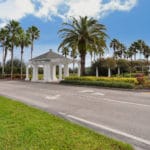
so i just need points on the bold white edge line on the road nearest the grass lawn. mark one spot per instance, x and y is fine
(110, 129)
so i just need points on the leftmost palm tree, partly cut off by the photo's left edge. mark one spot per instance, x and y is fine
(4, 41)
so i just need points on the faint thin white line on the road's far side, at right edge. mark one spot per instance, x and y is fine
(123, 102)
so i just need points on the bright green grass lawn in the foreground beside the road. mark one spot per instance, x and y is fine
(26, 128)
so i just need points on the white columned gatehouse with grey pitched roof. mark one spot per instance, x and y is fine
(49, 61)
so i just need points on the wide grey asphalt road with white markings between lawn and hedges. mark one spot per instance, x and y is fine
(124, 115)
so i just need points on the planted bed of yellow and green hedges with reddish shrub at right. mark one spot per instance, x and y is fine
(115, 82)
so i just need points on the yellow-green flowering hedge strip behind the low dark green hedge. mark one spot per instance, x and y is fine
(106, 79)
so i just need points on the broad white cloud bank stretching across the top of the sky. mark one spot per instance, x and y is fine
(17, 9)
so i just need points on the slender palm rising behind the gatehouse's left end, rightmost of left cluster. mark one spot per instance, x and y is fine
(34, 35)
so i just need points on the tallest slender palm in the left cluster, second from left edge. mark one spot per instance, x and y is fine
(13, 28)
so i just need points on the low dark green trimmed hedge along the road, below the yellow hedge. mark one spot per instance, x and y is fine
(100, 83)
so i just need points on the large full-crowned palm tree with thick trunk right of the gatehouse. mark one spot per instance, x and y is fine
(82, 33)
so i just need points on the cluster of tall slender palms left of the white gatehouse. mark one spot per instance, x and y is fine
(13, 35)
